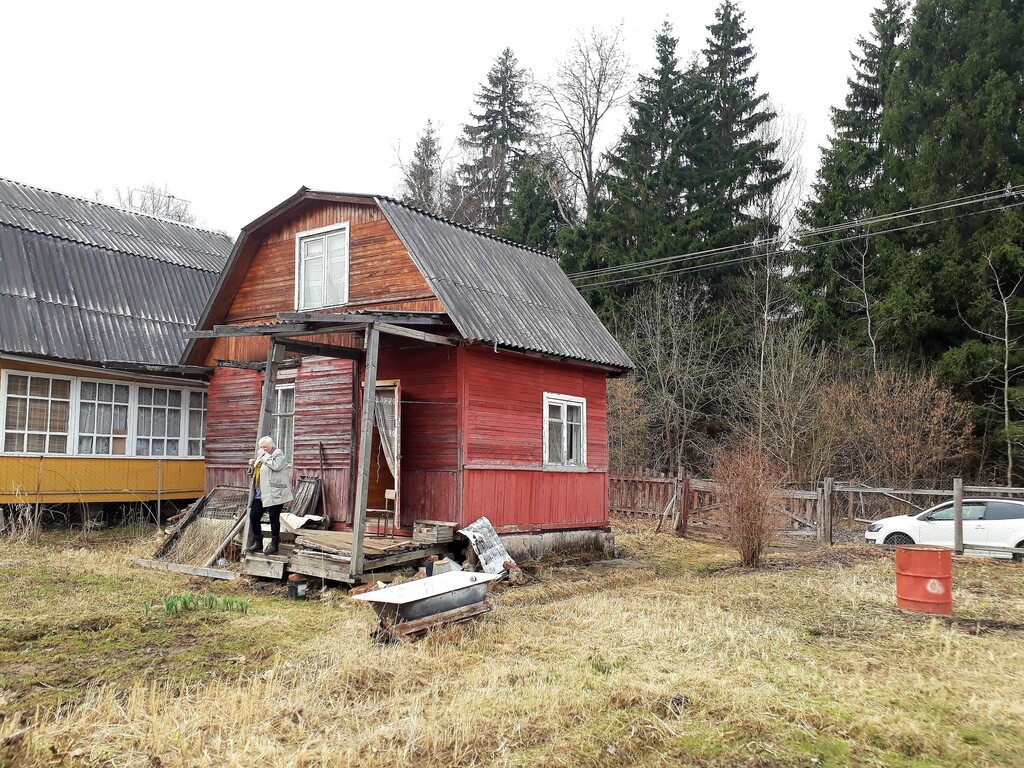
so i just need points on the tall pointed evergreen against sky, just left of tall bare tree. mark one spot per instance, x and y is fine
(496, 143)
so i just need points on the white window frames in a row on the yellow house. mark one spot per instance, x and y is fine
(75, 382)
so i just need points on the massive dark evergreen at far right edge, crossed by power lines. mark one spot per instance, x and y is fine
(951, 127)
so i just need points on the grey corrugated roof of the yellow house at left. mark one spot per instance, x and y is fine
(87, 282)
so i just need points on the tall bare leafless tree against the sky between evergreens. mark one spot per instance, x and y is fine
(589, 84)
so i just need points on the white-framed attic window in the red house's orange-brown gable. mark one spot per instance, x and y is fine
(322, 268)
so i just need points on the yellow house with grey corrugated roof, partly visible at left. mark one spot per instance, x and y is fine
(95, 305)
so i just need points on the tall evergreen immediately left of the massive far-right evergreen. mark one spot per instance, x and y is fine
(838, 285)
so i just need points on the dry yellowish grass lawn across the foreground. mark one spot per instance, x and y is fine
(686, 661)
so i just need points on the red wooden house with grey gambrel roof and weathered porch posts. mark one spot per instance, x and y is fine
(487, 369)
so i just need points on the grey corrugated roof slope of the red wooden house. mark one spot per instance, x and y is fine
(502, 293)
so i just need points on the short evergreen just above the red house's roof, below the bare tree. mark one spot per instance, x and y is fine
(533, 216)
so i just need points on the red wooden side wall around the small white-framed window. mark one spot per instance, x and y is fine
(503, 476)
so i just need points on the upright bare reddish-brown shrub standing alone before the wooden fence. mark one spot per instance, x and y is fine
(749, 480)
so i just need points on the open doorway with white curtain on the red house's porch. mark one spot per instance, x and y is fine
(385, 491)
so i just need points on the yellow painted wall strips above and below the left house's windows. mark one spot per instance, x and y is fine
(67, 480)
